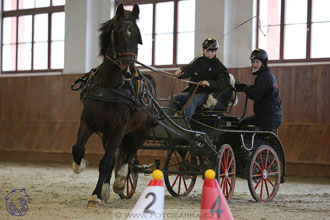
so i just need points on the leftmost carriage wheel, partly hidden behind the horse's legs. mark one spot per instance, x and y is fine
(132, 177)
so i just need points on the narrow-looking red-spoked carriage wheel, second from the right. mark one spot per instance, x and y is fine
(226, 171)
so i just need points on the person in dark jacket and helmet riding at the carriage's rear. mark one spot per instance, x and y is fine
(267, 105)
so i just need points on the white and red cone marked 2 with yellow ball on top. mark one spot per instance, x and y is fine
(151, 202)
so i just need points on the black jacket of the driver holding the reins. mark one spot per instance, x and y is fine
(211, 70)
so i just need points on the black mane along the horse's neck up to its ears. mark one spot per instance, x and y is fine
(107, 27)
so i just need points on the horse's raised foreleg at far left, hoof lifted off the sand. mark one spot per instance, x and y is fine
(78, 150)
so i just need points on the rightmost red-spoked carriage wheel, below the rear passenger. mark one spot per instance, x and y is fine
(264, 174)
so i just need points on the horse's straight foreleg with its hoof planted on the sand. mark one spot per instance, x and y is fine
(105, 166)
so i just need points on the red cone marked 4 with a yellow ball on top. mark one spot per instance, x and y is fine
(214, 204)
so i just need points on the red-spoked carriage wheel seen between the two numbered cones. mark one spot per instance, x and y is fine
(177, 181)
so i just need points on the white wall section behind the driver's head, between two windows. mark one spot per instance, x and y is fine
(218, 19)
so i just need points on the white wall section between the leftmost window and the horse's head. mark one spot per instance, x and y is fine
(82, 20)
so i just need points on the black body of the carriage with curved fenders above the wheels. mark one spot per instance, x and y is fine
(221, 130)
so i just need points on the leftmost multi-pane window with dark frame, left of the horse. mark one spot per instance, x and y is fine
(32, 36)
